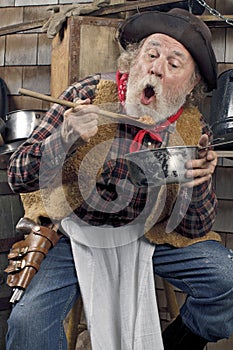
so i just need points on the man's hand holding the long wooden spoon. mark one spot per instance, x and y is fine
(80, 123)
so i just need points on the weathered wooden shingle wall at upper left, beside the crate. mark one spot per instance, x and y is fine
(25, 57)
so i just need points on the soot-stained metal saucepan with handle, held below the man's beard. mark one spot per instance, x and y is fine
(155, 167)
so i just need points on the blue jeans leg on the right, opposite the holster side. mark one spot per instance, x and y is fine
(205, 272)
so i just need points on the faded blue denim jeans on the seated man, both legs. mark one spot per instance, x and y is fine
(204, 271)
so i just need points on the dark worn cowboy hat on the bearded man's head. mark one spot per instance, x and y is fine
(181, 25)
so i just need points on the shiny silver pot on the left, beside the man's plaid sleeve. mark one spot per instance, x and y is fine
(21, 123)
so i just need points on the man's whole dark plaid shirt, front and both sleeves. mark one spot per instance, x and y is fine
(115, 201)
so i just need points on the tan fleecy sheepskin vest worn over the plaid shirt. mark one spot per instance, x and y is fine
(60, 199)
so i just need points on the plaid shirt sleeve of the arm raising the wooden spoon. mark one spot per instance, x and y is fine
(25, 171)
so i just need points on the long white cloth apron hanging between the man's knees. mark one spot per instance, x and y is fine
(117, 285)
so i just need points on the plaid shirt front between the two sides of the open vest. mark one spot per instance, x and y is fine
(115, 202)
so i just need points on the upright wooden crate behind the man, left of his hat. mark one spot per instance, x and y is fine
(87, 46)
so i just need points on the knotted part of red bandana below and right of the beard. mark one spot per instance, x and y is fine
(153, 132)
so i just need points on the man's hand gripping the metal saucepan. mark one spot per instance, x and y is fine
(201, 169)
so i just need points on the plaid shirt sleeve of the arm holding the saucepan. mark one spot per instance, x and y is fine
(198, 219)
